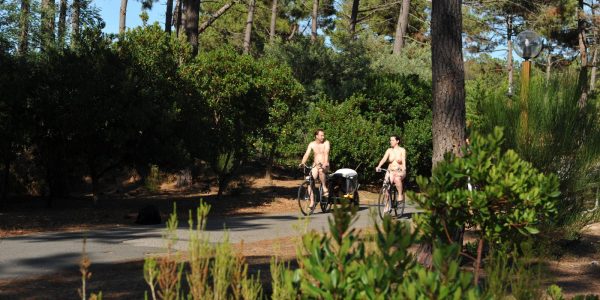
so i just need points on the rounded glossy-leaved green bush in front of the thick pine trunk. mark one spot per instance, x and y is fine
(509, 196)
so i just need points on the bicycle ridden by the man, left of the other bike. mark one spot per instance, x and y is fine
(304, 191)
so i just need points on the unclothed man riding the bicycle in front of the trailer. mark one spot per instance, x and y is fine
(320, 165)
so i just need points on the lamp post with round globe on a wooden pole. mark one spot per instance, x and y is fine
(528, 44)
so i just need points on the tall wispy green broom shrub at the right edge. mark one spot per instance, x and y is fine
(561, 138)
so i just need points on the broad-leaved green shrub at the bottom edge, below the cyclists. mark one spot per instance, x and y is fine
(339, 266)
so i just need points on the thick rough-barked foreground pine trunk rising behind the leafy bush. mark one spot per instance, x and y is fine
(449, 116)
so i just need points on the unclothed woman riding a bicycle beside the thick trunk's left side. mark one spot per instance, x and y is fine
(396, 157)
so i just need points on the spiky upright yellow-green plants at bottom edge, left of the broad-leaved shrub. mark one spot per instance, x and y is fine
(215, 271)
